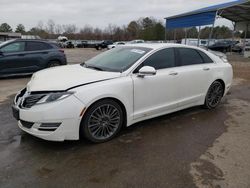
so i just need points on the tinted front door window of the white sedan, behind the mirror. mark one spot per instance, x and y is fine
(161, 59)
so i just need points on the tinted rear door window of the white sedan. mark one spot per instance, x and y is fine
(189, 56)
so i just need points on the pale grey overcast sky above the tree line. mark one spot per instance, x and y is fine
(98, 13)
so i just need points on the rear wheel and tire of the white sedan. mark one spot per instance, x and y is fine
(214, 95)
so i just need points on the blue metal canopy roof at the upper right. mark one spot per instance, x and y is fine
(237, 11)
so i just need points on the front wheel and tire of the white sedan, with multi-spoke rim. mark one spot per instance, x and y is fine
(102, 121)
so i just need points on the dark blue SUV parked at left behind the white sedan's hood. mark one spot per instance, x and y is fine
(19, 57)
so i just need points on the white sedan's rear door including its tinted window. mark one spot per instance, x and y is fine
(194, 76)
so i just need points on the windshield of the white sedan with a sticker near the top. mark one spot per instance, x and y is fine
(116, 60)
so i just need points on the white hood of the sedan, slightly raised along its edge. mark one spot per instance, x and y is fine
(66, 77)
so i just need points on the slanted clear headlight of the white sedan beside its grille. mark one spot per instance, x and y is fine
(51, 97)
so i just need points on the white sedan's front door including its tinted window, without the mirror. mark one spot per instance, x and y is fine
(156, 94)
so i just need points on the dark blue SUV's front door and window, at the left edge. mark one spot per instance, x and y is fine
(12, 59)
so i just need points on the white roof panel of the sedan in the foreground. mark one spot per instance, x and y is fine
(156, 46)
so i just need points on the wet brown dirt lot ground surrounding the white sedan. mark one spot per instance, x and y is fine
(191, 148)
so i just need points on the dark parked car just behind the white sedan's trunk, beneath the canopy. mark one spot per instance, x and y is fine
(224, 46)
